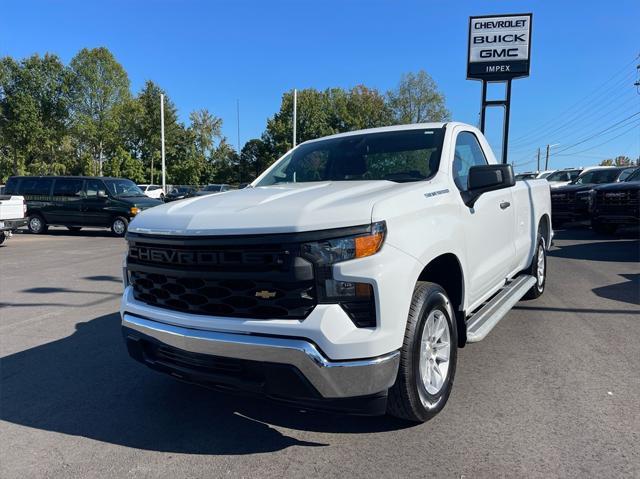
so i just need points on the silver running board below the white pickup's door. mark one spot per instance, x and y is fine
(485, 319)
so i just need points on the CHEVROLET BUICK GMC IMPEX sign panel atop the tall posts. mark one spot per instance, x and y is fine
(499, 47)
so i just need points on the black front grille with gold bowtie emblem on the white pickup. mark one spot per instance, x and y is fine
(251, 281)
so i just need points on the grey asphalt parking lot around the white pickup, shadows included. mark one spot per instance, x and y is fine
(553, 391)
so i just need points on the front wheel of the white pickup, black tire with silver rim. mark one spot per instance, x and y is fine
(416, 395)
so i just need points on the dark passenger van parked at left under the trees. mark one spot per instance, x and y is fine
(77, 201)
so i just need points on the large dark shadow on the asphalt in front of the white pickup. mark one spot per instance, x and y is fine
(86, 385)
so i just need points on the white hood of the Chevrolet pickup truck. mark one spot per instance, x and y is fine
(281, 208)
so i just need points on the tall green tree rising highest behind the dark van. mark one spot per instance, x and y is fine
(99, 85)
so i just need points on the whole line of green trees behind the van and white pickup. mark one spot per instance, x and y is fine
(82, 119)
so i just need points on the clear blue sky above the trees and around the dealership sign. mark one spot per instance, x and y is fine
(208, 54)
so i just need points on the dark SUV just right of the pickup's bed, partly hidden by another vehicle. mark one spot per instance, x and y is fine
(571, 202)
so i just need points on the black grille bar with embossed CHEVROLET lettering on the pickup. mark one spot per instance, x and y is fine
(204, 258)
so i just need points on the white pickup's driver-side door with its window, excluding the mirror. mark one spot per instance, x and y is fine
(488, 225)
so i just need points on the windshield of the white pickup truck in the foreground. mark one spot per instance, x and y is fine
(400, 156)
